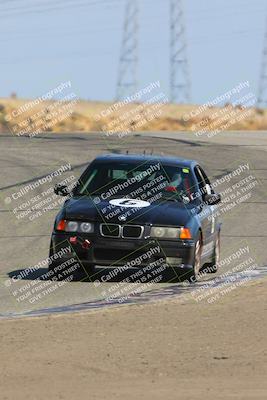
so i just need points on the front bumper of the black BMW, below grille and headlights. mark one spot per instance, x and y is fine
(110, 252)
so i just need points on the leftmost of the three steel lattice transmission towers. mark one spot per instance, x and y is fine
(127, 77)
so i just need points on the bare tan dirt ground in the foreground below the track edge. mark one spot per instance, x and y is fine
(175, 349)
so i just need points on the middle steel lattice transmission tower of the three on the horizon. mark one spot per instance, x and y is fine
(180, 85)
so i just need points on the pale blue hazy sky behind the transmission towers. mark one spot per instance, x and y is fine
(45, 42)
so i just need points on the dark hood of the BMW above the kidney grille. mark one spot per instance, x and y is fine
(167, 213)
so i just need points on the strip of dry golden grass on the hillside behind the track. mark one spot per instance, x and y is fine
(94, 116)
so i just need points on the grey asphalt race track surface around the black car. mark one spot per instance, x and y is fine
(25, 240)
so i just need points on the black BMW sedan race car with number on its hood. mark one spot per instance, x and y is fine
(124, 206)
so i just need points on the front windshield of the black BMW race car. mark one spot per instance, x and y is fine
(144, 181)
